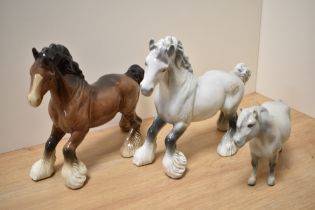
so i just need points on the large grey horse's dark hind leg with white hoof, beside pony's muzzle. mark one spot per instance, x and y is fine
(227, 146)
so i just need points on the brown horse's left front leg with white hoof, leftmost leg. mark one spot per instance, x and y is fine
(44, 167)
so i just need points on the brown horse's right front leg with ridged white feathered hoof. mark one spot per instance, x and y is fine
(74, 171)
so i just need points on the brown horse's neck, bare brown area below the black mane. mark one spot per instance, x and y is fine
(66, 88)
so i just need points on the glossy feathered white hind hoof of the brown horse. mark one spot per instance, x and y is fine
(133, 142)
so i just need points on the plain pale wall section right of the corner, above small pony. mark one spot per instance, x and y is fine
(287, 53)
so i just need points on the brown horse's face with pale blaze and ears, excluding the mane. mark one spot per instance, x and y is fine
(42, 76)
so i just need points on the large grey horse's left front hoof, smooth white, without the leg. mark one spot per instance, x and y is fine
(145, 154)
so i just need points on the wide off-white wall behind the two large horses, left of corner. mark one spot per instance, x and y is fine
(107, 37)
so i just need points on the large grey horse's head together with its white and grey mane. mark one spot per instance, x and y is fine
(164, 55)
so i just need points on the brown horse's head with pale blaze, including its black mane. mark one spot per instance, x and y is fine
(49, 63)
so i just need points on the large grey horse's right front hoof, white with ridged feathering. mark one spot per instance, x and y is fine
(175, 164)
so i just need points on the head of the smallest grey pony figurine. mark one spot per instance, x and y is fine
(248, 124)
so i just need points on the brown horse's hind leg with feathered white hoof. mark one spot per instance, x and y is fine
(134, 139)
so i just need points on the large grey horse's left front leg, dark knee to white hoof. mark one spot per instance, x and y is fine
(146, 153)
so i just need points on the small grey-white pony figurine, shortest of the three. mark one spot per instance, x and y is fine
(266, 127)
